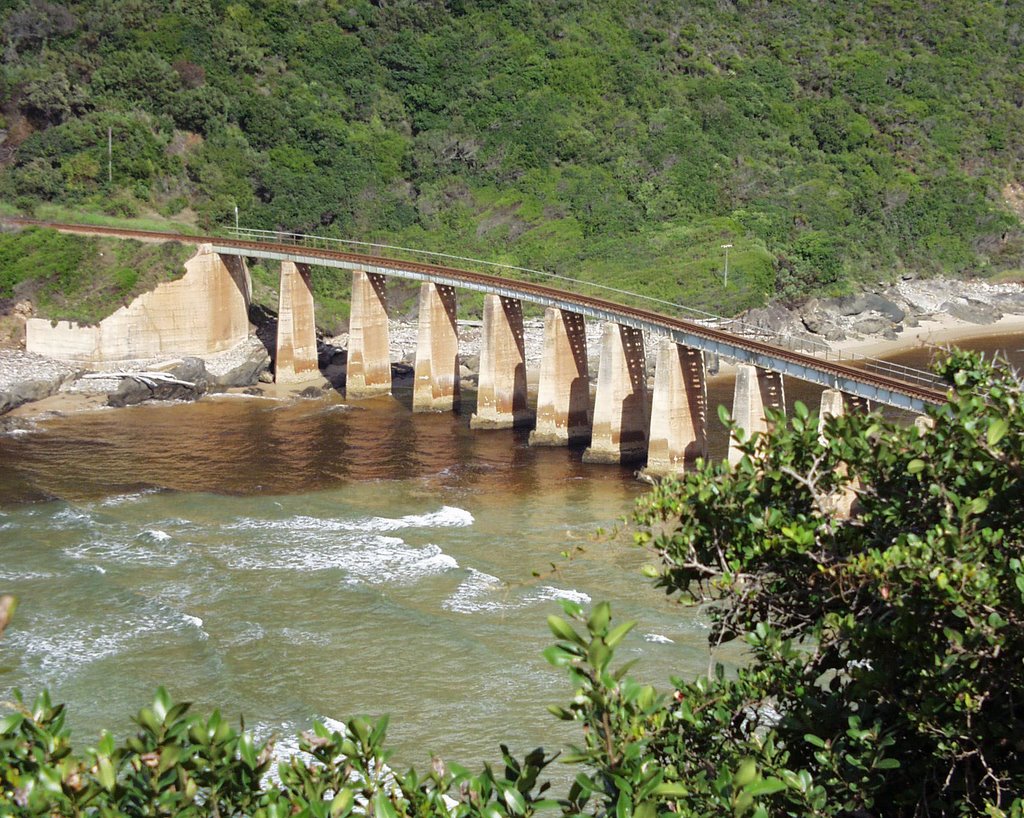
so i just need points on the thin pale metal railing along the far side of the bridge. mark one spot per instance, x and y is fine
(796, 342)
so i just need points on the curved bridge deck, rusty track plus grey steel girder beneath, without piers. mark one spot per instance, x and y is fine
(882, 388)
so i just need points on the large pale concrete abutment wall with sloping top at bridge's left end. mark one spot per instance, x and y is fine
(204, 313)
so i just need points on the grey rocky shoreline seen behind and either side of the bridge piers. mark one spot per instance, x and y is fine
(873, 323)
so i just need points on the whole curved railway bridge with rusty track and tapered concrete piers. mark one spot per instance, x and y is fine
(624, 423)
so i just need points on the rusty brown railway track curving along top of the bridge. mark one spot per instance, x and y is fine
(838, 370)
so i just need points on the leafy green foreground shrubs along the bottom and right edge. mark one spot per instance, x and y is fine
(885, 674)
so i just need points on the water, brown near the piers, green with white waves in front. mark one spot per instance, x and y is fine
(311, 559)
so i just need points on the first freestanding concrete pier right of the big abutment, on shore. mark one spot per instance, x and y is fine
(296, 355)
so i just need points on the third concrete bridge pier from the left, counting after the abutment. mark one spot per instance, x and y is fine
(437, 384)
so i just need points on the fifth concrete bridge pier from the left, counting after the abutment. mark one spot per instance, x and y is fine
(564, 389)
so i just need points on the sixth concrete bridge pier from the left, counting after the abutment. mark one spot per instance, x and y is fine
(620, 434)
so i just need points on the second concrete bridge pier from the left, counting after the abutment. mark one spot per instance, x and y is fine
(369, 361)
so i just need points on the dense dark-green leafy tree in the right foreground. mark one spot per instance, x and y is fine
(887, 650)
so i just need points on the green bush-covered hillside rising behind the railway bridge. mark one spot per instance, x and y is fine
(621, 140)
